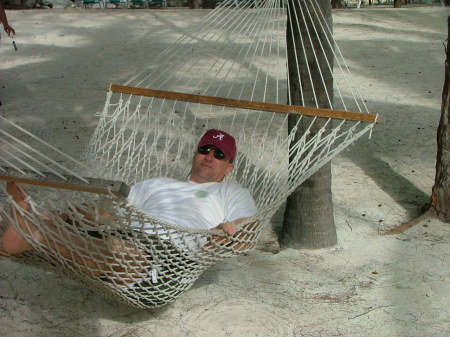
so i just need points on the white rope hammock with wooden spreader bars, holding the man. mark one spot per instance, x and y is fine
(230, 73)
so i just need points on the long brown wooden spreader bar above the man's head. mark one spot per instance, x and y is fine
(272, 107)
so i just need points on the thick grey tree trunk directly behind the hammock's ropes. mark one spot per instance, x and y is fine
(308, 219)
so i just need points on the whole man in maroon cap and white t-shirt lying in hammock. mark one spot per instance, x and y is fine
(202, 202)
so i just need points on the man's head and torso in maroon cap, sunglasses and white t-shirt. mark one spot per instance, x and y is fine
(202, 202)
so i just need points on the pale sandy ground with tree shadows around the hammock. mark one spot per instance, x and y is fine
(368, 285)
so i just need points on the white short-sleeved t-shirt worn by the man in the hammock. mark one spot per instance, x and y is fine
(190, 204)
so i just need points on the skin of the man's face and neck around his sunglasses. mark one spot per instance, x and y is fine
(206, 168)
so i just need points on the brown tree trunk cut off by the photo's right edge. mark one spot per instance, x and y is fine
(440, 195)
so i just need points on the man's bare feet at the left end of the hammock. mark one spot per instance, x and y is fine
(13, 242)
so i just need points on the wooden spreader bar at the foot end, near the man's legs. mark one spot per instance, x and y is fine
(97, 186)
